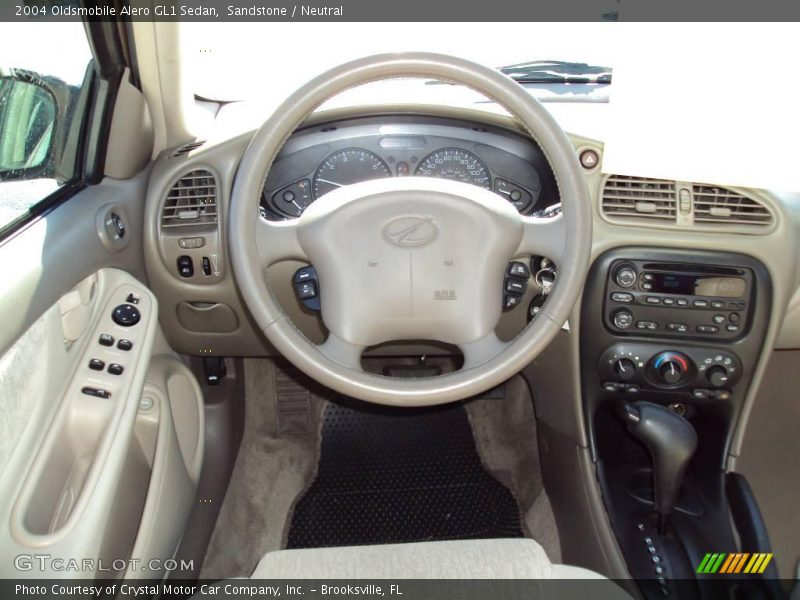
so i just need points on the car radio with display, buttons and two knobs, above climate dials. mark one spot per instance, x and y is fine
(677, 300)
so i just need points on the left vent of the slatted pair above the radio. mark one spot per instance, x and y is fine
(627, 197)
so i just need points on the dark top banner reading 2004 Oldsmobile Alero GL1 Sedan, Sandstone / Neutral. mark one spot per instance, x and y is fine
(406, 11)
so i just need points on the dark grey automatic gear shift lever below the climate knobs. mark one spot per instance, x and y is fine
(671, 440)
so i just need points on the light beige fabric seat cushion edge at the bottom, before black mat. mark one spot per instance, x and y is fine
(517, 558)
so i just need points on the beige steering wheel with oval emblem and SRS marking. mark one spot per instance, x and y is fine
(412, 257)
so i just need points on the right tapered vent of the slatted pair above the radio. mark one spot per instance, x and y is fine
(722, 206)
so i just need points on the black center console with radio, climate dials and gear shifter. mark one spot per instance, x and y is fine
(681, 330)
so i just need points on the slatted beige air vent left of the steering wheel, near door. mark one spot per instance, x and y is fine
(191, 201)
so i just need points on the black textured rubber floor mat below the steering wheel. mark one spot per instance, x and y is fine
(400, 475)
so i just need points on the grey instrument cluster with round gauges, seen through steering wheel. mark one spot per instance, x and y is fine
(318, 160)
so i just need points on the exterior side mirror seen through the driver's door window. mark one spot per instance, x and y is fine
(32, 111)
